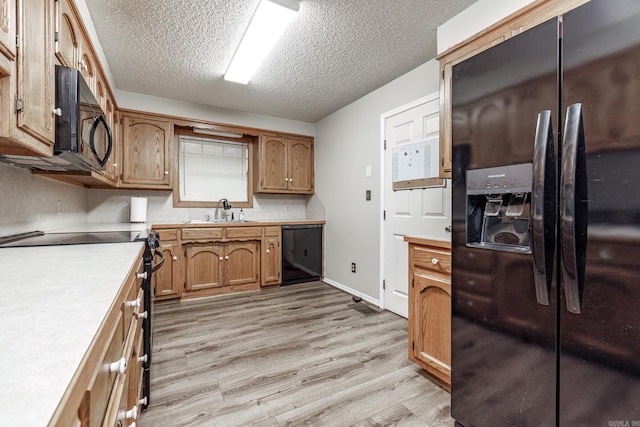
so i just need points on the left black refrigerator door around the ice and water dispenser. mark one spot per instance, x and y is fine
(503, 341)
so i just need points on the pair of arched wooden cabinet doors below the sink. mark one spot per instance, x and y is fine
(223, 267)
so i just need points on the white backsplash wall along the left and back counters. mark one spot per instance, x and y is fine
(31, 202)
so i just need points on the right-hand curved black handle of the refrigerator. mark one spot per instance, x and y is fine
(573, 145)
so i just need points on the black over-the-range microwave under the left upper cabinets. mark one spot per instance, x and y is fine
(83, 136)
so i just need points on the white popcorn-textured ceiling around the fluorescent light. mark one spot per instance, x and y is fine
(333, 53)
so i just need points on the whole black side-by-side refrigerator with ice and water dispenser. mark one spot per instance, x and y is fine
(546, 225)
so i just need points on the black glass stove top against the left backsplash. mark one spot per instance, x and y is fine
(39, 238)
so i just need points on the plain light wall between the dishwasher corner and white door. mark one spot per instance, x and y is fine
(346, 143)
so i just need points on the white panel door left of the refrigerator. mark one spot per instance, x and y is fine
(424, 212)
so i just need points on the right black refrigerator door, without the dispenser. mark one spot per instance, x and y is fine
(600, 346)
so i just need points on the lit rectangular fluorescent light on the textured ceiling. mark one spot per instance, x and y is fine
(267, 25)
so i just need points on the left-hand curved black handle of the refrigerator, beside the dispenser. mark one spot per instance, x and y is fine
(543, 200)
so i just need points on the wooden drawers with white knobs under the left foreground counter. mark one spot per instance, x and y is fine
(106, 390)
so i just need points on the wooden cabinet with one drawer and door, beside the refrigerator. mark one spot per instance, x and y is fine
(430, 307)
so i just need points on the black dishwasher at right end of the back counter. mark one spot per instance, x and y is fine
(301, 253)
